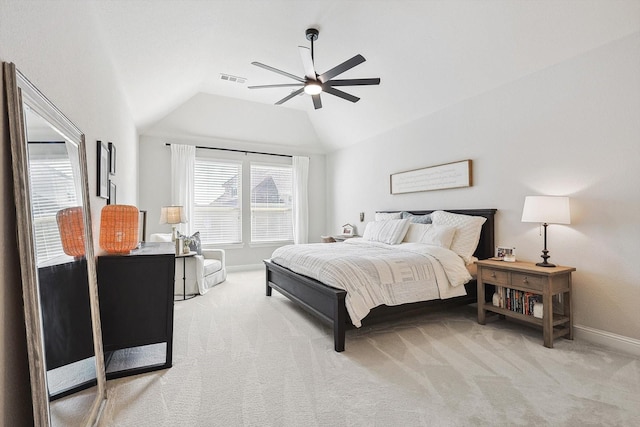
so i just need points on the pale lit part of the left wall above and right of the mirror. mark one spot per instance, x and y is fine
(71, 68)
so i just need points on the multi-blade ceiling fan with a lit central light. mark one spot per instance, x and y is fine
(313, 83)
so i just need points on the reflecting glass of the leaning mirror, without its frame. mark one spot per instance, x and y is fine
(62, 269)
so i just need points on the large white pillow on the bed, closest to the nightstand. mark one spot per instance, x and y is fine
(467, 234)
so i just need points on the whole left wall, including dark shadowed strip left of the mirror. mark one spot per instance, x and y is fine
(69, 66)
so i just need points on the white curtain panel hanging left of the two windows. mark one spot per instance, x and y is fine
(183, 160)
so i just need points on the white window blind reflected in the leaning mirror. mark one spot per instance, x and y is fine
(52, 189)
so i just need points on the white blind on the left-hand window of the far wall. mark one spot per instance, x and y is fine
(217, 212)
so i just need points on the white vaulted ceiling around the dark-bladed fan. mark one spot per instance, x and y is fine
(429, 54)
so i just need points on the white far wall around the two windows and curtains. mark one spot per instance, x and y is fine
(155, 188)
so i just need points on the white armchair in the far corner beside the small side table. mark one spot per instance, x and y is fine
(200, 272)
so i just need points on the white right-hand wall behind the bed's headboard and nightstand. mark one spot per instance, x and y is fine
(572, 129)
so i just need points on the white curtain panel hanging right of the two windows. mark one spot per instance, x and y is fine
(300, 199)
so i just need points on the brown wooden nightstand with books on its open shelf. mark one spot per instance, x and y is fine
(519, 281)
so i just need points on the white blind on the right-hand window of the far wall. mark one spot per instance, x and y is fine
(271, 203)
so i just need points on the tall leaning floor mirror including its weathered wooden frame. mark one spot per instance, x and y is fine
(58, 268)
